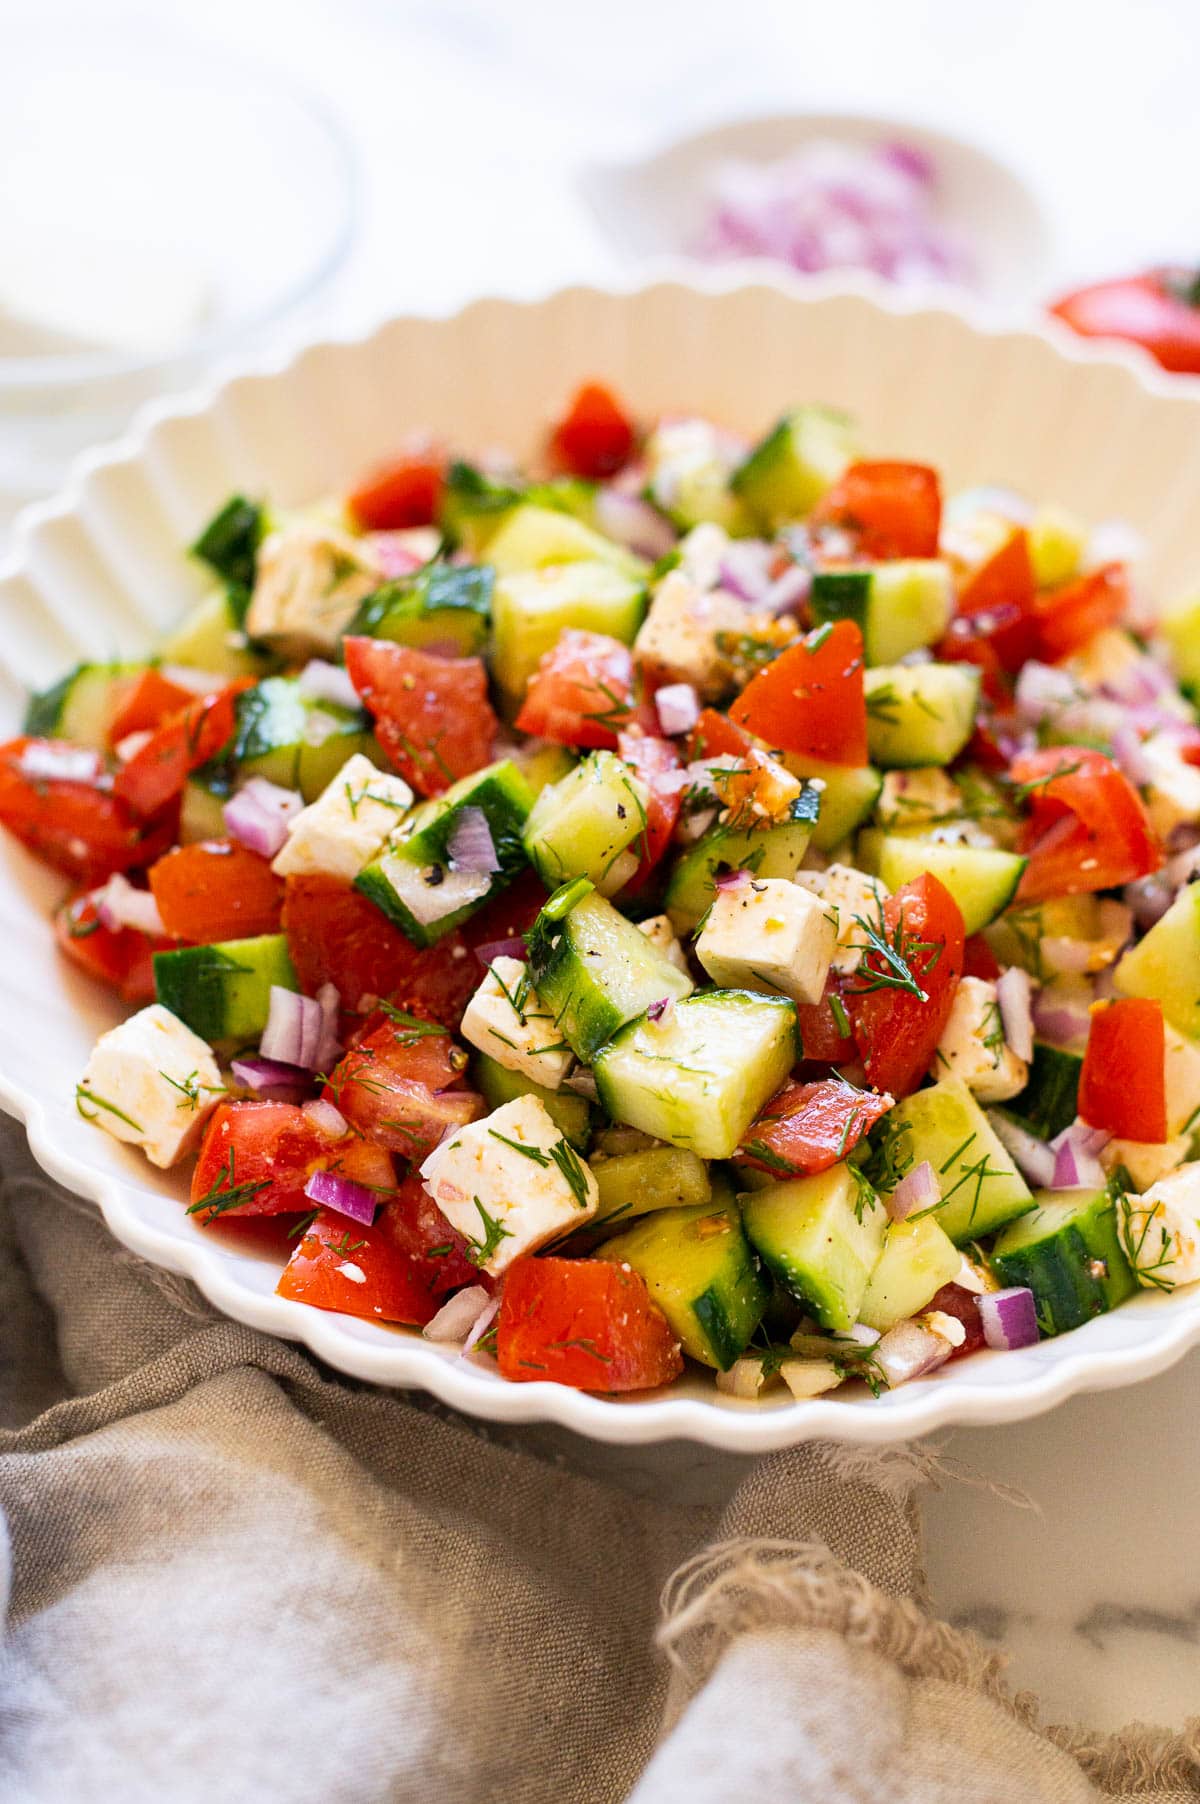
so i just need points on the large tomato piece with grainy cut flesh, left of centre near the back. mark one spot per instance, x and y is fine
(432, 715)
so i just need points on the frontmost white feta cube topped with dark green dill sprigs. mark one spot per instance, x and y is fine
(510, 1184)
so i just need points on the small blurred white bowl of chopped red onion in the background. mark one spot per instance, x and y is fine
(826, 192)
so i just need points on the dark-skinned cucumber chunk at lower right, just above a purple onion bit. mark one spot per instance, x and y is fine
(1069, 1253)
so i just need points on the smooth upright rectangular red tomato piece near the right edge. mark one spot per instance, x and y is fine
(1123, 1080)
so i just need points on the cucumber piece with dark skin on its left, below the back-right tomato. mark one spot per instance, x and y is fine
(900, 607)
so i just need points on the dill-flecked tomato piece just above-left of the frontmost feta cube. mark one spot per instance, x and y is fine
(396, 1087)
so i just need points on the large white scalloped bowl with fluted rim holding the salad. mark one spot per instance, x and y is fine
(100, 573)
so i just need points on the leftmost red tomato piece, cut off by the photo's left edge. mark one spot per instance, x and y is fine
(75, 824)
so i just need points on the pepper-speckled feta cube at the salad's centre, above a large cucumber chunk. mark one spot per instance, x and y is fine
(766, 934)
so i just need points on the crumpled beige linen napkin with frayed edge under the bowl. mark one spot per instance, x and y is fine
(237, 1578)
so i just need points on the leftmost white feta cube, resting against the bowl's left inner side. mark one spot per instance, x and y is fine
(151, 1083)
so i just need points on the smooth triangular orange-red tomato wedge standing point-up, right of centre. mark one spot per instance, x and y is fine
(811, 697)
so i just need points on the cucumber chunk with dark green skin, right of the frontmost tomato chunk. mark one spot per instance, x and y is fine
(701, 1271)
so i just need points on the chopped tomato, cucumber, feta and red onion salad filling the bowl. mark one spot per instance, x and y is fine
(688, 901)
